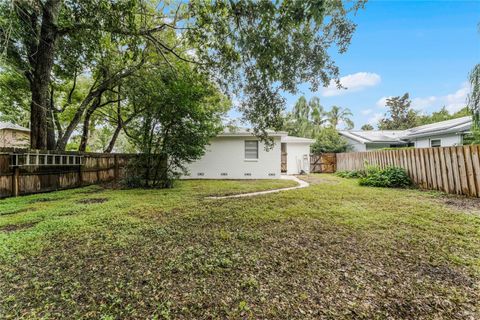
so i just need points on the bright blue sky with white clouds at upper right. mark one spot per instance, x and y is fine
(425, 48)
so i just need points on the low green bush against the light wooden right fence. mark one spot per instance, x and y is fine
(390, 177)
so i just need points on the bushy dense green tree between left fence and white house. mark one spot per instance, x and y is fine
(182, 112)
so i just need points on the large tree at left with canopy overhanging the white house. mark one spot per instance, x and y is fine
(253, 49)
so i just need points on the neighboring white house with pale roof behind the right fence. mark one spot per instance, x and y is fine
(440, 134)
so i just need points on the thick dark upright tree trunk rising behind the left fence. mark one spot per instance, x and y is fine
(44, 57)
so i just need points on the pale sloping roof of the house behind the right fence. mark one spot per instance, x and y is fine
(389, 136)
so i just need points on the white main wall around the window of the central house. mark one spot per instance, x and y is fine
(227, 155)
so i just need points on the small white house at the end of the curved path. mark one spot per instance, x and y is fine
(239, 154)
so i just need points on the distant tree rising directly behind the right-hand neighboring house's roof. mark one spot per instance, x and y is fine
(400, 115)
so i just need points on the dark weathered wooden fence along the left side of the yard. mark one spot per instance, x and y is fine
(27, 172)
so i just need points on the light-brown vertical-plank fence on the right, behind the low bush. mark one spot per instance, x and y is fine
(454, 170)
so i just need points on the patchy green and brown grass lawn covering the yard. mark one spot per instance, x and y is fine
(334, 250)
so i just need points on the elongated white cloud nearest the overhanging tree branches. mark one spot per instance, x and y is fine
(352, 82)
